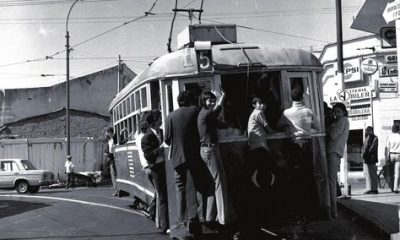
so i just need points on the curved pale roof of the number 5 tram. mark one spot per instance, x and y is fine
(225, 57)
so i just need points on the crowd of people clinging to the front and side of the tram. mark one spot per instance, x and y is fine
(202, 191)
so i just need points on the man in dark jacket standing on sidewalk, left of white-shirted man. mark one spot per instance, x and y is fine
(370, 157)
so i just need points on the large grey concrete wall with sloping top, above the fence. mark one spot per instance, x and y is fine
(91, 93)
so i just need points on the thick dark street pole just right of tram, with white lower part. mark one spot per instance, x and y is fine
(339, 36)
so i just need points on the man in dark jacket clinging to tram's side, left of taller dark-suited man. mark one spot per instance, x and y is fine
(152, 152)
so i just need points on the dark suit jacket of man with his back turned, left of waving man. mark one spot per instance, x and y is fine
(182, 135)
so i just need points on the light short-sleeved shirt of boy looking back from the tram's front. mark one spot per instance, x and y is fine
(256, 130)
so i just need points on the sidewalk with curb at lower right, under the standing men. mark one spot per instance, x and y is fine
(380, 211)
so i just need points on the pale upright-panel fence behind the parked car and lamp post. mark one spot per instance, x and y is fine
(50, 153)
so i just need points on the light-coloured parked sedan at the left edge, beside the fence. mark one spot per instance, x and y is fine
(23, 176)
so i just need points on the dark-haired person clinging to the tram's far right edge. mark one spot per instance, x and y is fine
(337, 136)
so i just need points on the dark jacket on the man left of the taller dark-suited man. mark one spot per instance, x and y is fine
(150, 147)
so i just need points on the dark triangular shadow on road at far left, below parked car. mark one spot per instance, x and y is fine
(10, 208)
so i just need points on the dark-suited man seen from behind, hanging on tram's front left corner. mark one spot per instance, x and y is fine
(182, 135)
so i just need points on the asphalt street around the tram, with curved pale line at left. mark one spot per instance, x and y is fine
(92, 213)
